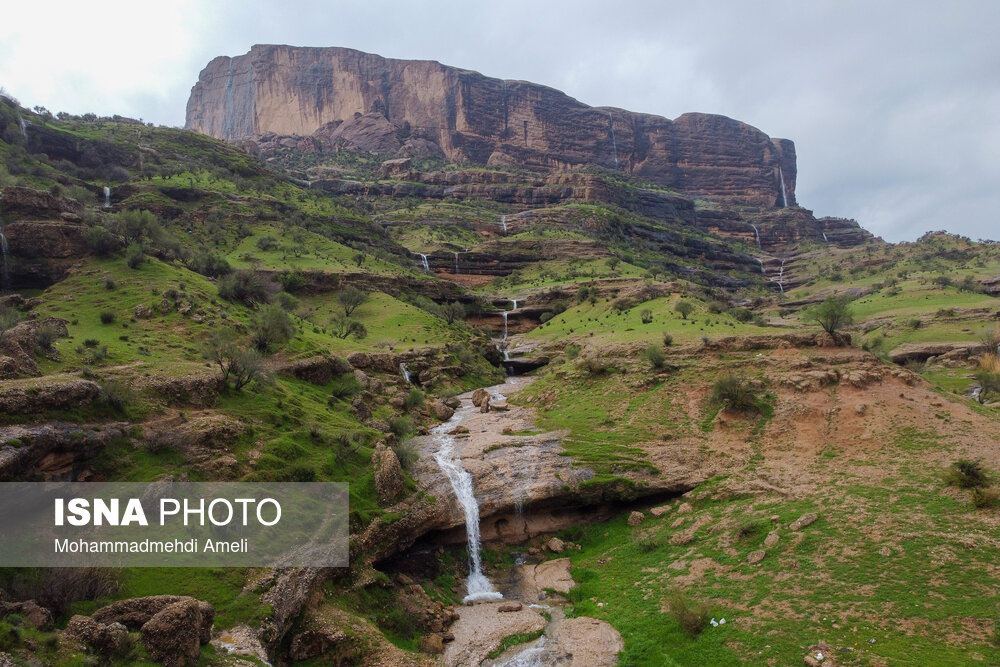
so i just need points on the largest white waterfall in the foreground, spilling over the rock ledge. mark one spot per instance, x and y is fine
(478, 586)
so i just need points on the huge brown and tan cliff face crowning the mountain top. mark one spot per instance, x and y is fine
(342, 97)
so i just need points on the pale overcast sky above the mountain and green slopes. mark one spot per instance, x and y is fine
(894, 107)
